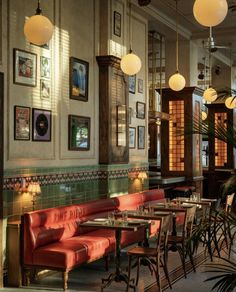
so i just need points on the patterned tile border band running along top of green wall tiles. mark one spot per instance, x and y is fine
(69, 176)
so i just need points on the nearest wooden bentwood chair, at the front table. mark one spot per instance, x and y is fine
(153, 257)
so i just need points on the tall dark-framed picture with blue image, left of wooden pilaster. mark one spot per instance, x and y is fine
(79, 72)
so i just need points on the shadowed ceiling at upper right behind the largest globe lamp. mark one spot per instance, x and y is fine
(224, 34)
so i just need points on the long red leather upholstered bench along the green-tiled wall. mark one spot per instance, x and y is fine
(53, 238)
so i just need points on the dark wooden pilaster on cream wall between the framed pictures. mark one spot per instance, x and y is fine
(113, 109)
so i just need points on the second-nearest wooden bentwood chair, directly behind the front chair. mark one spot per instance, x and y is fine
(179, 242)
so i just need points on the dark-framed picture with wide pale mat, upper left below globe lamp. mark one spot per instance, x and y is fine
(25, 68)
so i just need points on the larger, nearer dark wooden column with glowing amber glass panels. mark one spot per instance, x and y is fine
(181, 155)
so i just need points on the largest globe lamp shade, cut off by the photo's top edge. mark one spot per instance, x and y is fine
(210, 12)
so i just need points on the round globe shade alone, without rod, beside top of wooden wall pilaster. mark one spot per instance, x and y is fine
(130, 64)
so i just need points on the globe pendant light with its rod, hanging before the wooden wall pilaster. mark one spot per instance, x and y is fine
(130, 64)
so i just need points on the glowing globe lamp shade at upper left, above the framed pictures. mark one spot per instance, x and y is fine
(38, 30)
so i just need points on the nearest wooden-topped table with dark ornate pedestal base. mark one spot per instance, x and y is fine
(118, 226)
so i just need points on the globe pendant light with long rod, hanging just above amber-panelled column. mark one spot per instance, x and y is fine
(177, 81)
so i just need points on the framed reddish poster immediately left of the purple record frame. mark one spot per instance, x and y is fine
(21, 123)
